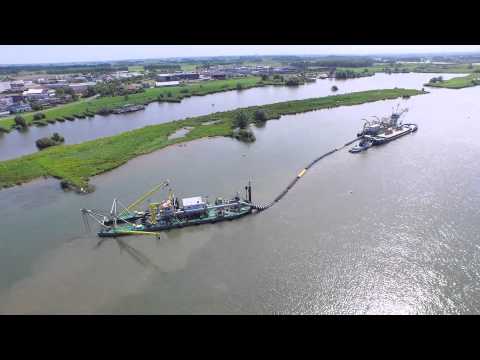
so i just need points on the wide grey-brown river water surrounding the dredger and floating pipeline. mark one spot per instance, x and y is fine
(391, 230)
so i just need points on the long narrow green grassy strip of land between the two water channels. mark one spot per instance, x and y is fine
(77, 163)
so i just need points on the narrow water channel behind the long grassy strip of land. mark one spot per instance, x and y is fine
(20, 143)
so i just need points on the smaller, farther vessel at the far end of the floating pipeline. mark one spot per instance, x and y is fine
(381, 131)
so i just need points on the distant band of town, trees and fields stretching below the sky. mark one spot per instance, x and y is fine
(30, 88)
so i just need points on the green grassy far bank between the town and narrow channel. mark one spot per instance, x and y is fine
(167, 94)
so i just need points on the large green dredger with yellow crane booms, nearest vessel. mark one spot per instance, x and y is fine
(168, 214)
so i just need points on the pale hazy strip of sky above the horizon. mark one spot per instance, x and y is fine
(28, 54)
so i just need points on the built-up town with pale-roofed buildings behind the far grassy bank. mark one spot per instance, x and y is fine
(33, 92)
